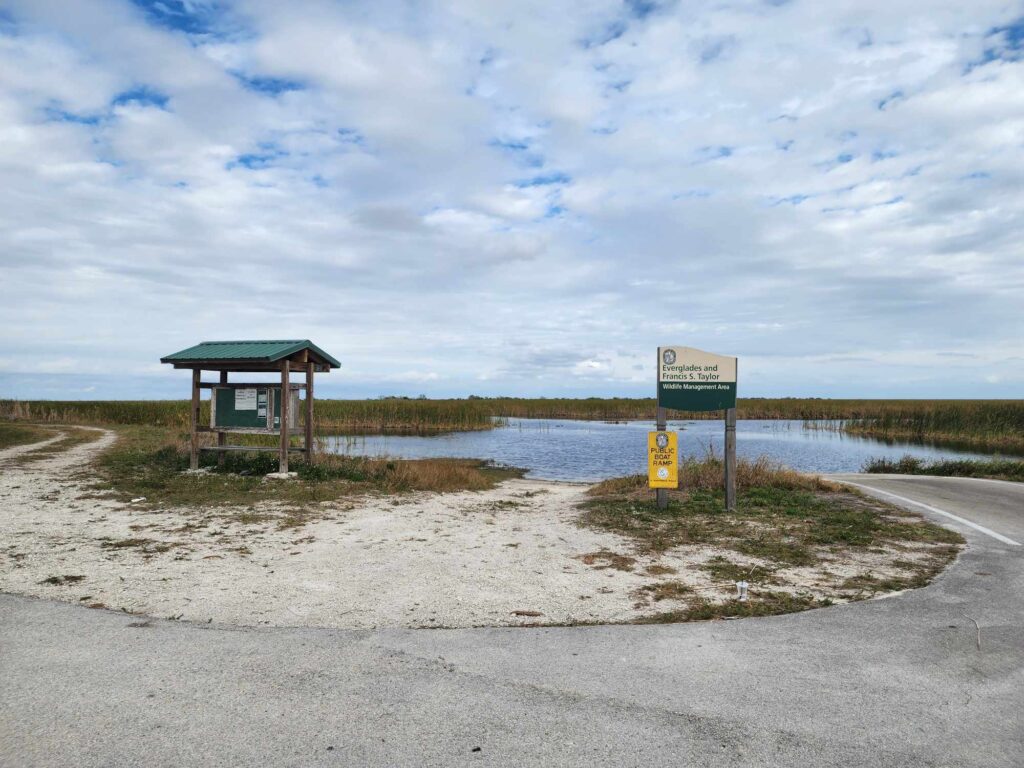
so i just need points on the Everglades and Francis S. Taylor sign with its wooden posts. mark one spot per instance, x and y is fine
(691, 379)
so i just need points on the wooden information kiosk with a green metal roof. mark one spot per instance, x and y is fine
(253, 408)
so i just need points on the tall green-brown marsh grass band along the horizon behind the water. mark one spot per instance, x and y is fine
(985, 424)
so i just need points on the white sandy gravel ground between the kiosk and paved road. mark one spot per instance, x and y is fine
(508, 557)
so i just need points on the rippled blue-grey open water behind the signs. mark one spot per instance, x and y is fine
(588, 451)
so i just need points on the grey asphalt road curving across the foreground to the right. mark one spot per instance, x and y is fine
(892, 682)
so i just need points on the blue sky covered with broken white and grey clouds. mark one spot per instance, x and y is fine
(516, 198)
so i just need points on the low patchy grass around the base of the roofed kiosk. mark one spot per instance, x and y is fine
(150, 462)
